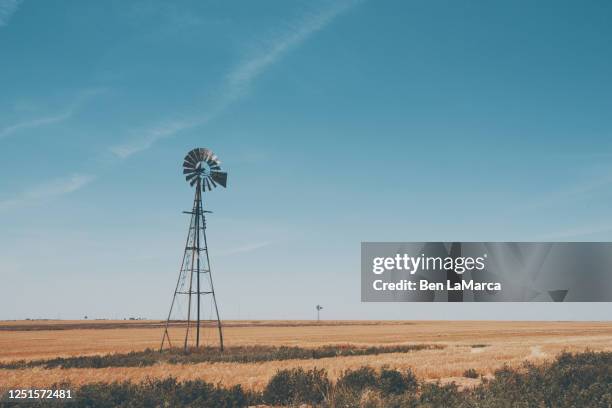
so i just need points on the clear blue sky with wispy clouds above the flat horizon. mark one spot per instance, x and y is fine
(338, 122)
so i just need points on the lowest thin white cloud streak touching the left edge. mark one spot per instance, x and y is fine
(48, 190)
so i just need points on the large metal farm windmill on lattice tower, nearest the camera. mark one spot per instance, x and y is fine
(202, 170)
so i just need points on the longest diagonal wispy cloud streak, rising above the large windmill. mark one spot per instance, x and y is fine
(238, 81)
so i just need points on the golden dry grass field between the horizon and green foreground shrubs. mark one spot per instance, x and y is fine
(497, 343)
